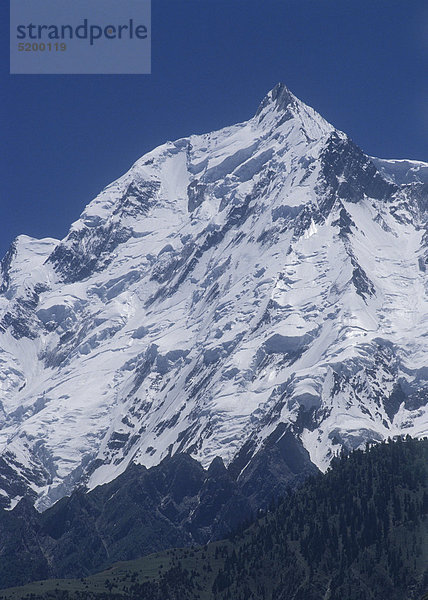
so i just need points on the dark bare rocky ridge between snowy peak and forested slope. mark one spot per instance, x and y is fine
(174, 504)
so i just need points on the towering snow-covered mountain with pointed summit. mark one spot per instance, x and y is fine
(266, 273)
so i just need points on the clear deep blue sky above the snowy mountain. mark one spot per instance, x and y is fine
(361, 63)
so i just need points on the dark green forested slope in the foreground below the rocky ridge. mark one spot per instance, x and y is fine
(358, 532)
